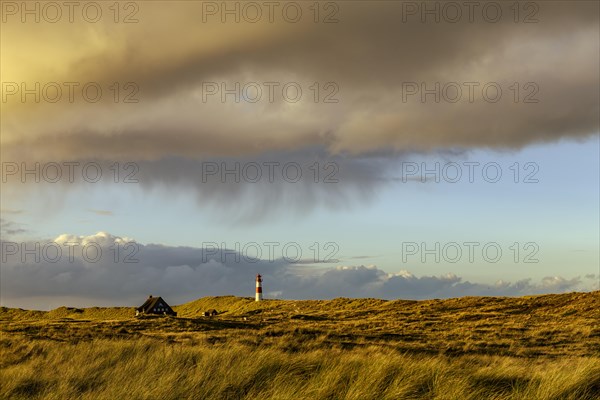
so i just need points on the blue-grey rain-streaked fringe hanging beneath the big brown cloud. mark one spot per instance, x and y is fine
(247, 188)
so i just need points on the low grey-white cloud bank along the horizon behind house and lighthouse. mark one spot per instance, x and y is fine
(184, 273)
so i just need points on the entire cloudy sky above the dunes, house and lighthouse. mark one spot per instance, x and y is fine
(340, 149)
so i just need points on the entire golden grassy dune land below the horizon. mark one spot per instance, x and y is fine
(542, 347)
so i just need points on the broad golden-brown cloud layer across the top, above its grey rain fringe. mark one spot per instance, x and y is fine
(369, 54)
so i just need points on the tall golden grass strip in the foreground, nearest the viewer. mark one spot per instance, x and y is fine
(151, 369)
